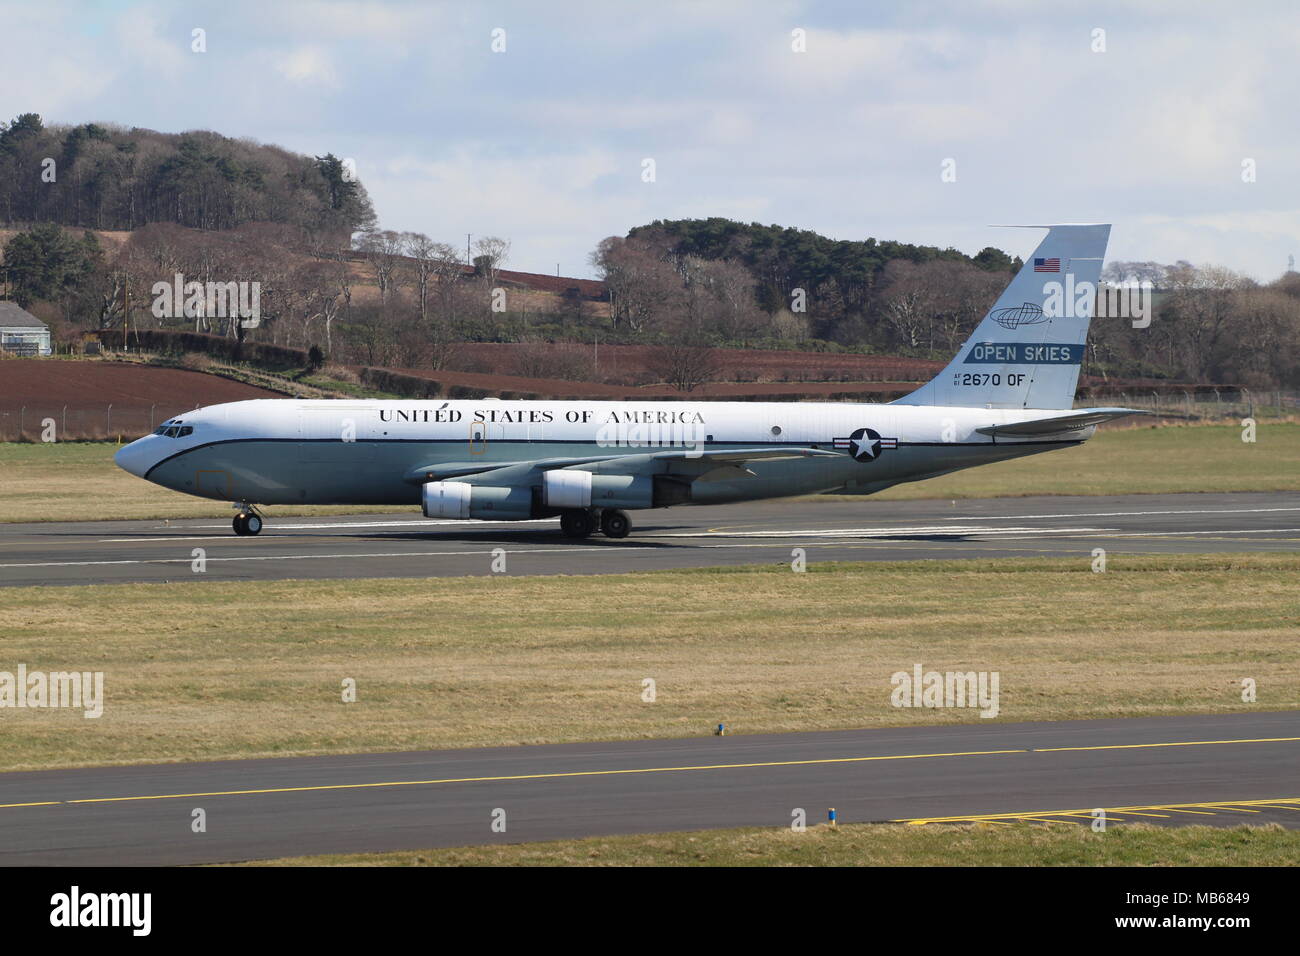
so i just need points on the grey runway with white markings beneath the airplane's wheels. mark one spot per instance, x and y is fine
(683, 538)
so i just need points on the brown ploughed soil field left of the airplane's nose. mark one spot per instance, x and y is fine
(77, 396)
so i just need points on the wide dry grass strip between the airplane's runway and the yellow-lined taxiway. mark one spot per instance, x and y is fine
(198, 671)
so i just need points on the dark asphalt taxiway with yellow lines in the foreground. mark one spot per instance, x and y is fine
(1219, 771)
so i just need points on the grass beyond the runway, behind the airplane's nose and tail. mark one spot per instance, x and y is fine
(79, 481)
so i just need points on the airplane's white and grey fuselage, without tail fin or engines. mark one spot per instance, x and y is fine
(372, 452)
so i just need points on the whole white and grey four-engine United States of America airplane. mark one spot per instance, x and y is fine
(1009, 392)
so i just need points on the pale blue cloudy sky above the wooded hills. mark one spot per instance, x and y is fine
(926, 123)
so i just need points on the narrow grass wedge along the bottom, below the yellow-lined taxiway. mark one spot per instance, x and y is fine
(873, 845)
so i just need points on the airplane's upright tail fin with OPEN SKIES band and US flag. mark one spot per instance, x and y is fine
(1028, 351)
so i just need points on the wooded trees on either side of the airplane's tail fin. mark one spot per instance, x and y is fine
(723, 283)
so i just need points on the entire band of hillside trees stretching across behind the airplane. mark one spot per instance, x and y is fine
(216, 210)
